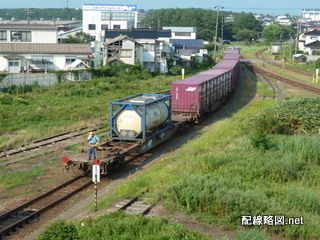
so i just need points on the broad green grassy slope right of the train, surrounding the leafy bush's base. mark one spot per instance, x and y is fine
(221, 176)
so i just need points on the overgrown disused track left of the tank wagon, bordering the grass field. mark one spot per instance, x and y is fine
(44, 142)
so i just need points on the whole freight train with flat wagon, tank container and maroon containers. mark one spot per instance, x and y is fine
(139, 123)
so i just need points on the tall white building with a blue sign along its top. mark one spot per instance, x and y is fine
(97, 18)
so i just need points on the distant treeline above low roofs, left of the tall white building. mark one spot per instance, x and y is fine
(38, 13)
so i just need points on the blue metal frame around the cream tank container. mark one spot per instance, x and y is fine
(143, 135)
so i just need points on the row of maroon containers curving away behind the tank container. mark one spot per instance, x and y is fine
(207, 90)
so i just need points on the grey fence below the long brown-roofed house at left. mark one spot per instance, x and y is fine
(42, 79)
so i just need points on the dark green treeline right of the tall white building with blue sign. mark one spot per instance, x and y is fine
(245, 26)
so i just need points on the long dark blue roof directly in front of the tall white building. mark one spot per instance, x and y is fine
(140, 33)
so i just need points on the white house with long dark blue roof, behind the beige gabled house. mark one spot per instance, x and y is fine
(156, 47)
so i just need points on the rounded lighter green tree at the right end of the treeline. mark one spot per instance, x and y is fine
(275, 32)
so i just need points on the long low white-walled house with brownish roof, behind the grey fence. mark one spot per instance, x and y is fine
(41, 57)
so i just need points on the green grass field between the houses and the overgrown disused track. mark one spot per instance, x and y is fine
(32, 112)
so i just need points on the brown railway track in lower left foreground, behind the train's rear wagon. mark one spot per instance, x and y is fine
(22, 215)
